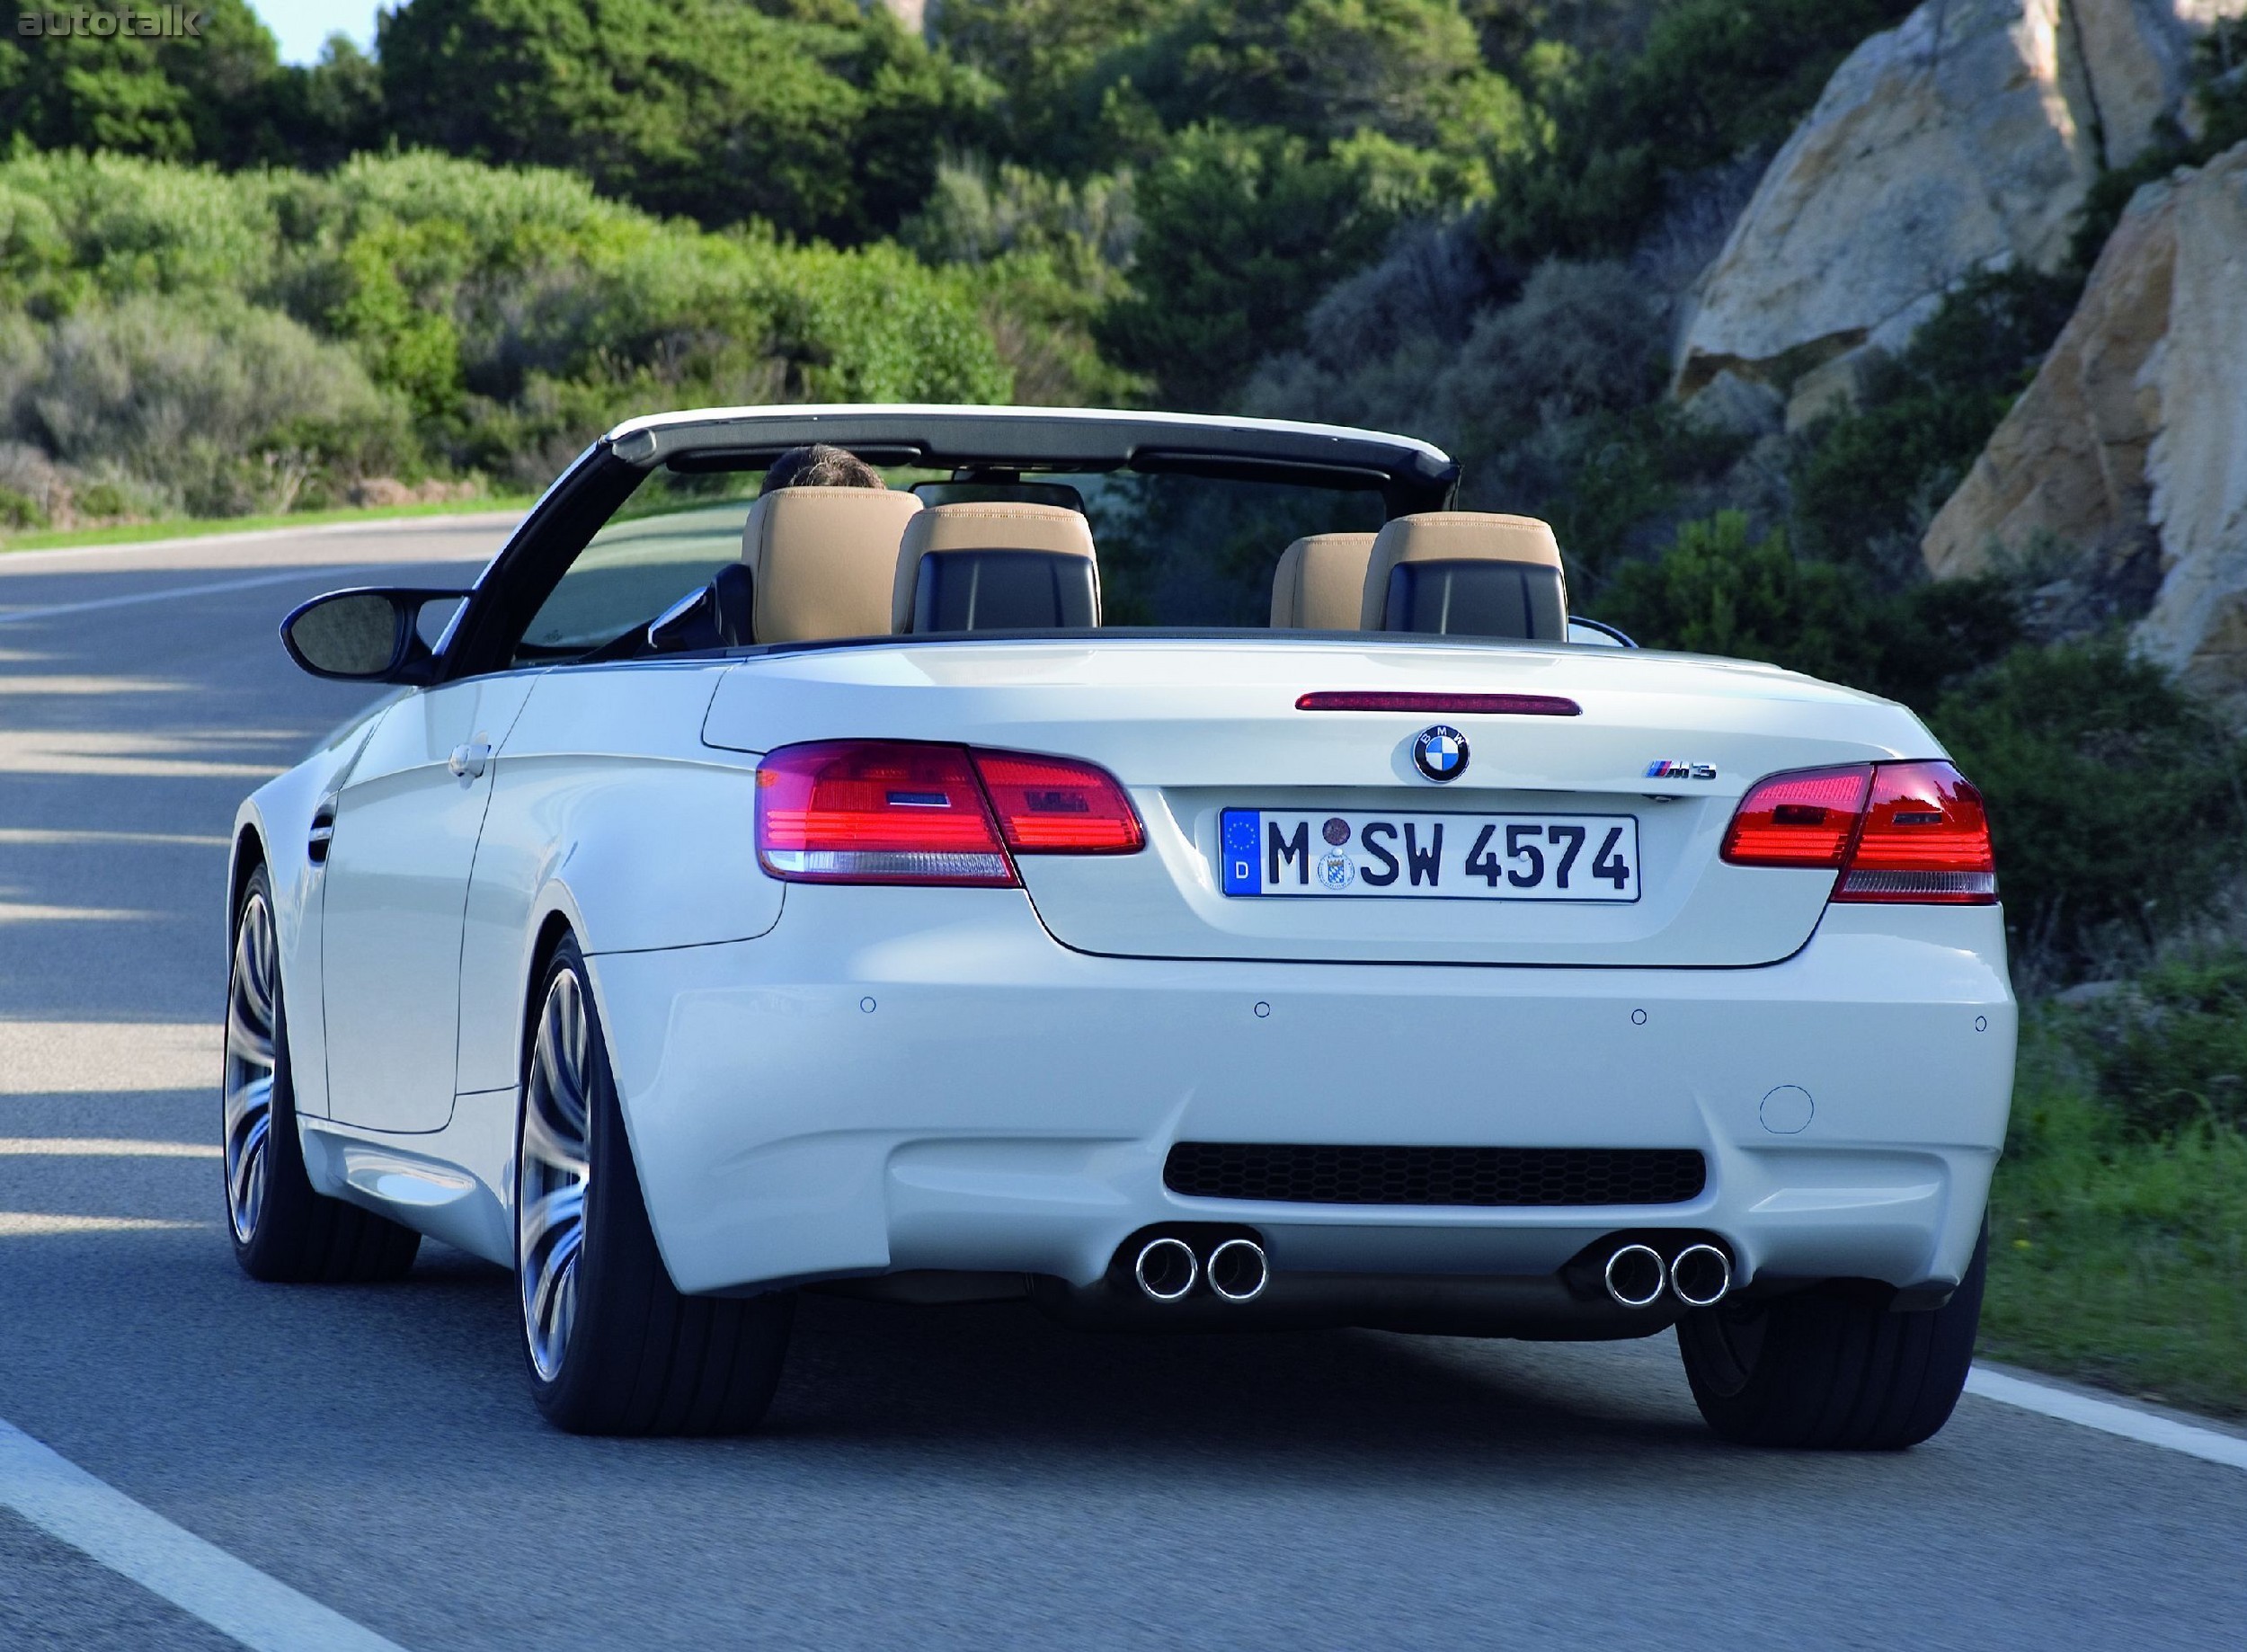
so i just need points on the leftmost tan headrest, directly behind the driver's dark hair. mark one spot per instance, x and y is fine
(824, 561)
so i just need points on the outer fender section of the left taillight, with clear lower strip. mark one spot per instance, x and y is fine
(877, 813)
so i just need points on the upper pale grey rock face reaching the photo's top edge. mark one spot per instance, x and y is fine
(1958, 143)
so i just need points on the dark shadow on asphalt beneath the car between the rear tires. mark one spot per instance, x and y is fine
(985, 1374)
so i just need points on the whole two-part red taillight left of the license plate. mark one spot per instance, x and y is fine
(907, 813)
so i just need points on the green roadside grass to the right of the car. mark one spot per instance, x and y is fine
(2116, 1258)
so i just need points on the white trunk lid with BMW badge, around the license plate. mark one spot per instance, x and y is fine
(1199, 727)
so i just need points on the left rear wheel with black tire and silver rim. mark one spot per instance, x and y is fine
(633, 1356)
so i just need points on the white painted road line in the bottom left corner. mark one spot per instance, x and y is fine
(230, 1595)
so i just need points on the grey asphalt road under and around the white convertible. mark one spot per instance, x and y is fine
(929, 1478)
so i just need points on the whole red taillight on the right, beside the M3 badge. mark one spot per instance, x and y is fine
(1895, 833)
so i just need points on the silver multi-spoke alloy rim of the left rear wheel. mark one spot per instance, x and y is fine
(552, 1177)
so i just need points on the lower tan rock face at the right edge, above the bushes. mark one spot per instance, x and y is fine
(2122, 473)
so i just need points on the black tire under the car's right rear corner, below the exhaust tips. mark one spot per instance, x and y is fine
(1832, 1372)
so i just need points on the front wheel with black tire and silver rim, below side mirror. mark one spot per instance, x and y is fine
(286, 1233)
